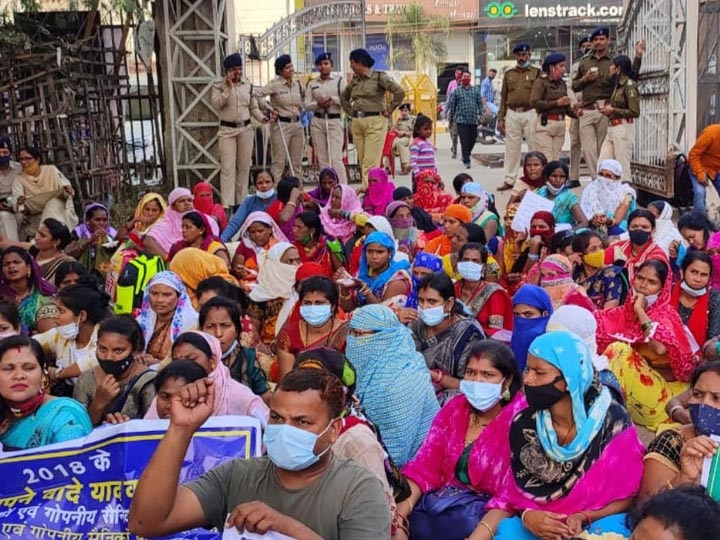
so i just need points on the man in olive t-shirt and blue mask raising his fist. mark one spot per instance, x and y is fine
(299, 489)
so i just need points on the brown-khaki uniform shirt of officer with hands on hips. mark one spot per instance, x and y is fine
(367, 93)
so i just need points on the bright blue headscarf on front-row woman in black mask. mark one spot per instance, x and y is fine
(568, 353)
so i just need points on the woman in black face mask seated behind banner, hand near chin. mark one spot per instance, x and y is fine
(121, 386)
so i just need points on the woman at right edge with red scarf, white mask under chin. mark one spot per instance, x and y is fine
(697, 304)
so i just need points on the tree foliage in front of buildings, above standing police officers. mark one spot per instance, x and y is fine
(417, 37)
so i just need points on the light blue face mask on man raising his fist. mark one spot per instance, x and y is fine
(291, 448)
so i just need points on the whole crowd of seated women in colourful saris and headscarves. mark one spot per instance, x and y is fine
(496, 380)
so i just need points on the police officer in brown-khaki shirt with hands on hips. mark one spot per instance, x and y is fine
(364, 99)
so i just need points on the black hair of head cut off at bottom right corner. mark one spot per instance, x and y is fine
(687, 509)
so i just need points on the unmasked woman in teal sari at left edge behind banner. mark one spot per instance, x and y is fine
(32, 417)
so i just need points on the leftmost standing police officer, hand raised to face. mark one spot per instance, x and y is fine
(234, 103)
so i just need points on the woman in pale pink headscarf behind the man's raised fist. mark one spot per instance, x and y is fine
(231, 397)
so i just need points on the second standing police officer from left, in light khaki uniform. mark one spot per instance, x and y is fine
(287, 135)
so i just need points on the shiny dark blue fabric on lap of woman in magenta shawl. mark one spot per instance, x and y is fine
(450, 513)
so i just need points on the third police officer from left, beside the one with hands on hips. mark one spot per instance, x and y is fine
(322, 96)
